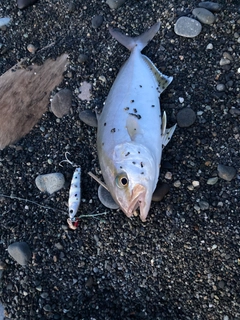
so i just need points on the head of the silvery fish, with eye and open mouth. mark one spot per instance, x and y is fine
(132, 178)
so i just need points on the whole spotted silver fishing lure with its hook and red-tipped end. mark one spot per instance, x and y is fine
(74, 195)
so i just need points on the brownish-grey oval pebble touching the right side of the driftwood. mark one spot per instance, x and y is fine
(61, 103)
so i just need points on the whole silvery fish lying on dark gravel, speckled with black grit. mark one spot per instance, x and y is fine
(131, 131)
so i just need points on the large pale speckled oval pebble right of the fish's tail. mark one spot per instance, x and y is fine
(187, 27)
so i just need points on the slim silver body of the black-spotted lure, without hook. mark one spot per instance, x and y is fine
(74, 194)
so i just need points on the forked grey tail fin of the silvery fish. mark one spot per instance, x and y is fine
(141, 41)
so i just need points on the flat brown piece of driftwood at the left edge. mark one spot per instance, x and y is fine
(24, 97)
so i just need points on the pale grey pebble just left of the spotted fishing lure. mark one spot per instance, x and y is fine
(50, 182)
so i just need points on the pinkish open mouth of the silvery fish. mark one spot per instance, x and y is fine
(137, 200)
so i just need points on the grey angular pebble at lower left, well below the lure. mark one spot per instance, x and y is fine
(20, 252)
